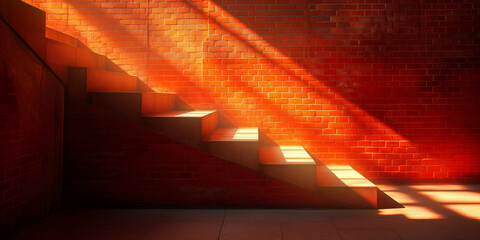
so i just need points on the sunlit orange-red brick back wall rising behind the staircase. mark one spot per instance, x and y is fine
(387, 86)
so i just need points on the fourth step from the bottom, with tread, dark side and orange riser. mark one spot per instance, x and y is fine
(185, 126)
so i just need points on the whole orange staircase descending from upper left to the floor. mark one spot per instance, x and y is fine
(94, 81)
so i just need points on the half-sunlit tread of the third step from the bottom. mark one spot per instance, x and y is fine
(233, 134)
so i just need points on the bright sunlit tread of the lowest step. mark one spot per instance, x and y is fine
(349, 177)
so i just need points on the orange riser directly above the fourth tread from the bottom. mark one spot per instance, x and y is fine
(154, 103)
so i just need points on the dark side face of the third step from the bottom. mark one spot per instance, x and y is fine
(242, 153)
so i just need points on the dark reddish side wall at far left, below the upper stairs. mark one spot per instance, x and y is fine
(31, 131)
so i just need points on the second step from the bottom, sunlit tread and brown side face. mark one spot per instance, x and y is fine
(291, 164)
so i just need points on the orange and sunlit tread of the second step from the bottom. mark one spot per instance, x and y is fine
(286, 155)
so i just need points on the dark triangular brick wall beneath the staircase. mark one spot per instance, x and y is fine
(112, 162)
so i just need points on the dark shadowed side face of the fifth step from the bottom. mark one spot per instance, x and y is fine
(126, 104)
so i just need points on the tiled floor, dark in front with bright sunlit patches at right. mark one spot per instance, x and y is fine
(430, 212)
